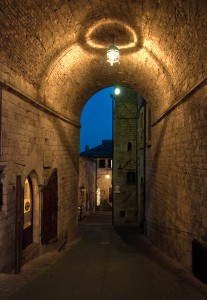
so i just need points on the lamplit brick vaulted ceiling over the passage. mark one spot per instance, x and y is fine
(59, 46)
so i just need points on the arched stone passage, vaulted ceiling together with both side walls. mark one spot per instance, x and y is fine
(53, 58)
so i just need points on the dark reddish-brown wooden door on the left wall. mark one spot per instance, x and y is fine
(49, 210)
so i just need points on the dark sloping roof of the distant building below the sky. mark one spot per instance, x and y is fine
(105, 150)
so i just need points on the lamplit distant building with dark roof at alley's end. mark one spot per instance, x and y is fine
(102, 154)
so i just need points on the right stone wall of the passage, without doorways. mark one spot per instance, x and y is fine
(176, 206)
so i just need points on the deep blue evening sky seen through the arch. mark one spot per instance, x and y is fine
(96, 119)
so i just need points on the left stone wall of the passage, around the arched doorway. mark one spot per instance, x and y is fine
(35, 140)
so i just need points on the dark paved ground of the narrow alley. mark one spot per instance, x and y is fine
(103, 264)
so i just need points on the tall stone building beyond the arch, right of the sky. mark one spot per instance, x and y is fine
(128, 158)
